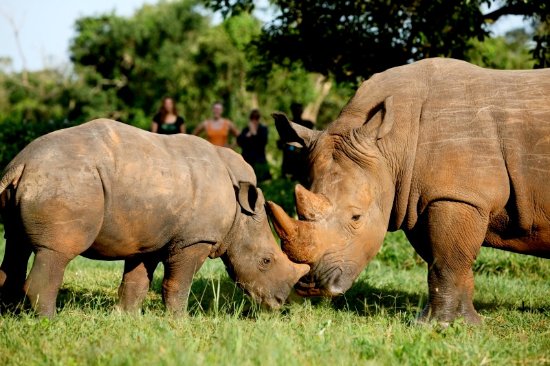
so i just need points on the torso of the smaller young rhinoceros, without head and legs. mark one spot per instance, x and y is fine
(128, 190)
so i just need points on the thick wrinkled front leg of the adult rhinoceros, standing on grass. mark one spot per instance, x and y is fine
(455, 232)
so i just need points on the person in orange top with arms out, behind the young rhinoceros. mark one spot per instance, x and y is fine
(217, 129)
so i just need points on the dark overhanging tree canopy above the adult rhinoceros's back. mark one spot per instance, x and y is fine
(356, 38)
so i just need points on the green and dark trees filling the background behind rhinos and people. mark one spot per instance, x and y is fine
(122, 66)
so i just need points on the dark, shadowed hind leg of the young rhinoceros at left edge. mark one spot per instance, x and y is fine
(12, 275)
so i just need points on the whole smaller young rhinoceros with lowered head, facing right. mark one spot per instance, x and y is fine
(106, 190)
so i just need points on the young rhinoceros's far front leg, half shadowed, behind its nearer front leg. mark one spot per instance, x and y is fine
(138, 274)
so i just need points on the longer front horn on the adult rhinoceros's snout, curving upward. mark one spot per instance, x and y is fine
(297, 237)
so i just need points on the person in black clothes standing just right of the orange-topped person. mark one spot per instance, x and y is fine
(252, 141)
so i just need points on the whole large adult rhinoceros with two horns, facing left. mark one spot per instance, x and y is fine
(455, 155)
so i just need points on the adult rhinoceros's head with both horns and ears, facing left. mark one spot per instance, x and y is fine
(344, 216)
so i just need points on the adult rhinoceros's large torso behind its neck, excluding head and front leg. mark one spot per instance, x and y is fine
(482, 137)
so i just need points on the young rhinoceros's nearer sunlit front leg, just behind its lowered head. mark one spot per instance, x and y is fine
(179, 268)
